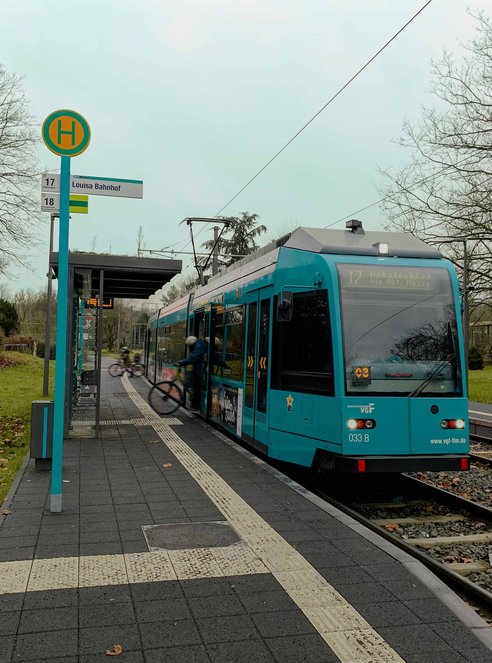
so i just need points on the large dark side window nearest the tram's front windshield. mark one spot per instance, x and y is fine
(302, 347)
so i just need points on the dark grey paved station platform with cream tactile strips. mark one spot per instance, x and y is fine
(177, 545)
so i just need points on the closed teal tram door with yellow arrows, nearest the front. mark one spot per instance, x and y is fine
(257, 349)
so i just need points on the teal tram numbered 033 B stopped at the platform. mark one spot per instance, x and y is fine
(333, 349)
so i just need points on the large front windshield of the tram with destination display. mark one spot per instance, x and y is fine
(399, 331)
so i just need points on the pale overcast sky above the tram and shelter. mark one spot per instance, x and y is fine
(195, 96)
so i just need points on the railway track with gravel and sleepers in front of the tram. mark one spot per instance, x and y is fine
(448, 533)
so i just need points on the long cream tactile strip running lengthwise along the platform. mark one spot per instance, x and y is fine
(347, 633)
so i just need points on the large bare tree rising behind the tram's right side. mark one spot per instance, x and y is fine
(446, 189)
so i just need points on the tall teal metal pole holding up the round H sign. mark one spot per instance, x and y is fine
(61, 340)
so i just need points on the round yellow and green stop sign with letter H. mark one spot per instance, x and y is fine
(66, 133)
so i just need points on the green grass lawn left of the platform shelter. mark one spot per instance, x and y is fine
(21, 382)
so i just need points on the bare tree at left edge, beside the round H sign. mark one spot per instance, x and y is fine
(19, 210)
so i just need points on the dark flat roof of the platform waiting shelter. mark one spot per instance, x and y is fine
(125, 277)
